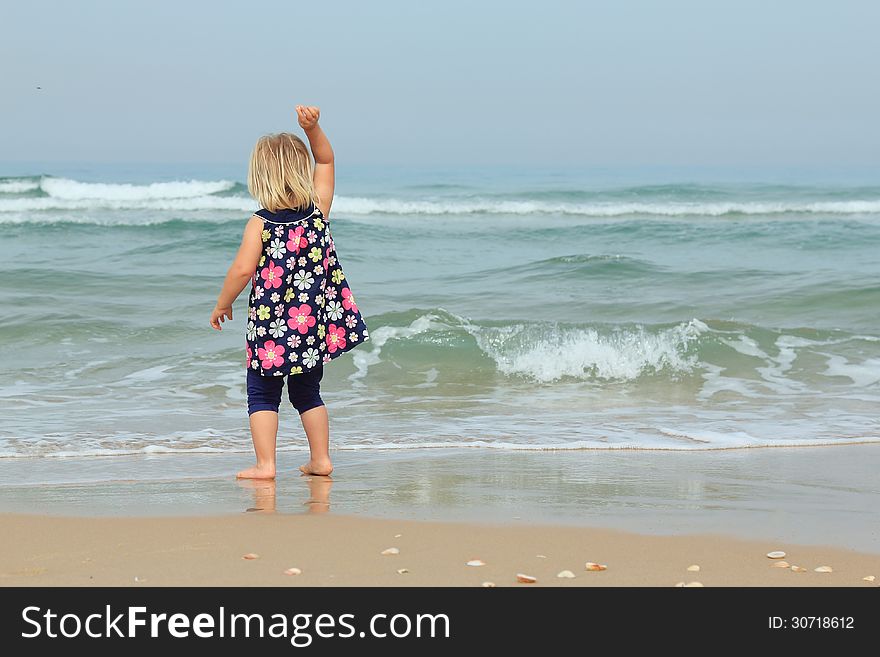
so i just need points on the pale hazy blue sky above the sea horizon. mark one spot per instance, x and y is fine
(550, 83)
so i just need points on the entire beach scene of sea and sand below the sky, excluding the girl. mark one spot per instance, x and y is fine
(643, 369)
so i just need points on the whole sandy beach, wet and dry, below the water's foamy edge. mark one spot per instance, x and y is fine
(647, 516)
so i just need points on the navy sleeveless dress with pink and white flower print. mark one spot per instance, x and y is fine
(301, 310)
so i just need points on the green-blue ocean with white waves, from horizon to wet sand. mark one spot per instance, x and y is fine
(508, 309)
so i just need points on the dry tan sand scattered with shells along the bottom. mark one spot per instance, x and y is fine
(333, 550)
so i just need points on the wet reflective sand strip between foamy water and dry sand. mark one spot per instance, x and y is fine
(805, 497)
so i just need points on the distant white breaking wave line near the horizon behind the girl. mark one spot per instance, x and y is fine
(41, 194)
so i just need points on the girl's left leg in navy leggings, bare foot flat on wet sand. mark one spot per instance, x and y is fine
(264, 398)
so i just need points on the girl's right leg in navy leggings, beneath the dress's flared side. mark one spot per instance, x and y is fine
(305, 395)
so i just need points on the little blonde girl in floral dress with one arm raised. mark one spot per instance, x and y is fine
(301, 311)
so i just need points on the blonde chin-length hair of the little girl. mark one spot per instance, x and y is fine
(280, 173)
